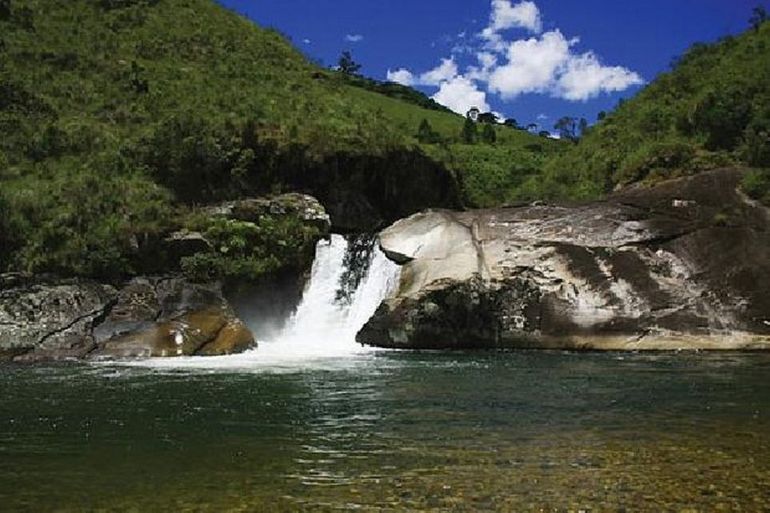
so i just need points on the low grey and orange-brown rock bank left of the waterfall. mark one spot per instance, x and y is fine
(148, 317)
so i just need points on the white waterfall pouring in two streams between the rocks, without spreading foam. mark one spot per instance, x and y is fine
(325, 324)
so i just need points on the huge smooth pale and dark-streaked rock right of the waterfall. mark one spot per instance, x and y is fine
(683, 265)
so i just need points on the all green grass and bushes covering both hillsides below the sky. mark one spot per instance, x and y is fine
(119, 117)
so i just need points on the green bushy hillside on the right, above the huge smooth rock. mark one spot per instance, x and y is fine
(712, 109)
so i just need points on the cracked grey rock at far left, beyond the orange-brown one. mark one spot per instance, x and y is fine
(53, 319)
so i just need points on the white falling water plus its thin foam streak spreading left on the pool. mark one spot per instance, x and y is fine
(322, 328)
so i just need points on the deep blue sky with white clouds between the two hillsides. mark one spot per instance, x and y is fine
(533, 60)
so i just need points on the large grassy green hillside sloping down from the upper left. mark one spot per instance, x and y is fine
(117, 115)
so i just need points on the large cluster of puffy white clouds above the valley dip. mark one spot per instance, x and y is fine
(545, 63)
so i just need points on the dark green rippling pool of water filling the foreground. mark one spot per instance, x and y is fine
(523, 431)
